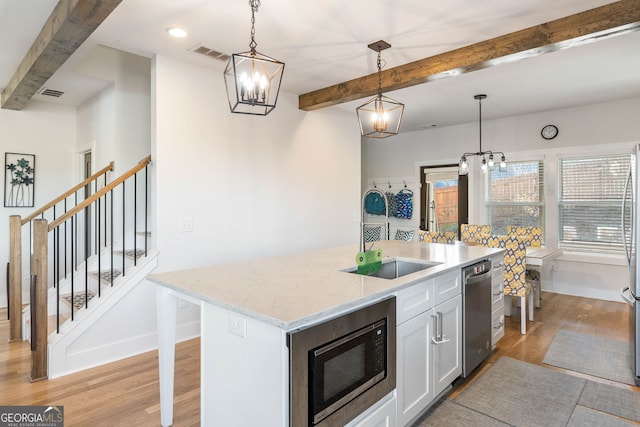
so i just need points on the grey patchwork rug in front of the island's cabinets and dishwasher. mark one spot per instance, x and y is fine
(516, 393)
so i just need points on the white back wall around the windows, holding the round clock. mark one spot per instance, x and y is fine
(598, 128)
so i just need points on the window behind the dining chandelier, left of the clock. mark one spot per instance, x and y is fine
(516, 196)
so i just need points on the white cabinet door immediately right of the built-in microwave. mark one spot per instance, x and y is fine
(414, 364)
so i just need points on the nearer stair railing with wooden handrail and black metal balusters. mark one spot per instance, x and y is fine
(61, 235)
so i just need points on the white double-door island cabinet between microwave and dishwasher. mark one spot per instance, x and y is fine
(429, 342)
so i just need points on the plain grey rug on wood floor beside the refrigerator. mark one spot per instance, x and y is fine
(601, 357)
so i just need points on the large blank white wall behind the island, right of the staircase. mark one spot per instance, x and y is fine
(252, 186)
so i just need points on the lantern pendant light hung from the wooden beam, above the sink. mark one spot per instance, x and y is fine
(380, 117)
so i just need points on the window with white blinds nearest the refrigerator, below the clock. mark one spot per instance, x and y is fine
(590, 202)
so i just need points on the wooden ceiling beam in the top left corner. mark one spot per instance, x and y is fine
(68, 26)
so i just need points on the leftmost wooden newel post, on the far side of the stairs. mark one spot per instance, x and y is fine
(15, 278)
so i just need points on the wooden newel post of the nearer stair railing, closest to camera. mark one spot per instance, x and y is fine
(39, 306)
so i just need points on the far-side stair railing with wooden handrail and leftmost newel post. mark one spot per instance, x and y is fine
(16, 224)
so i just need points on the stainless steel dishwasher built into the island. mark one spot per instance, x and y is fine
(476, 314)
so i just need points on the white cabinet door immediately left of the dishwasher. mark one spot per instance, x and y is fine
(447, 348)
